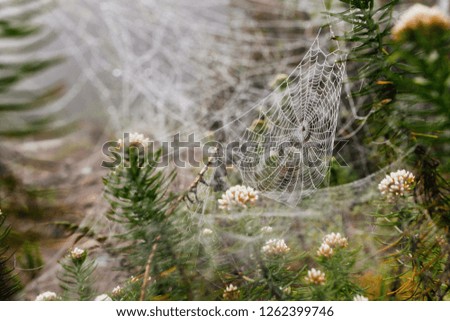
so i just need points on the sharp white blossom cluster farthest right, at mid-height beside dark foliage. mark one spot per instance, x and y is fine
(396, 183)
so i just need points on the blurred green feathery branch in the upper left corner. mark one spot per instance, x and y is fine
(23, 110)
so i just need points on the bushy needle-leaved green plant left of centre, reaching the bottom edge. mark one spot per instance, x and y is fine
(156, 237)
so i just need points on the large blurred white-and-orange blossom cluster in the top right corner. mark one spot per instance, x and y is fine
(419, 16)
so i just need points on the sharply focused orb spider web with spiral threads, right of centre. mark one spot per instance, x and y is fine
(288, 149)
